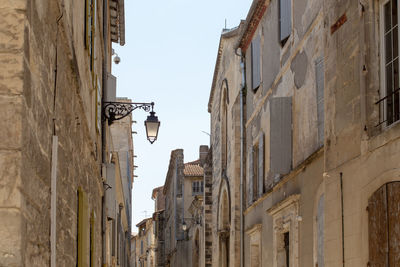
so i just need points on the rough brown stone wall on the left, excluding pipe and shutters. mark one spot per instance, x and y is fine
(45, 90)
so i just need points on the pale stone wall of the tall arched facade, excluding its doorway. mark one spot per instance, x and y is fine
(225, 131)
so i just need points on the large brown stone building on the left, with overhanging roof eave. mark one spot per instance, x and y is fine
(54, 145)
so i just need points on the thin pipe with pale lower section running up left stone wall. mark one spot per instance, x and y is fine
(54, 159)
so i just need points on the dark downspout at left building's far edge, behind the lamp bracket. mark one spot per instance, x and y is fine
(103, 129)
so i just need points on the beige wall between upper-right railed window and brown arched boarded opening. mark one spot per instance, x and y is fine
(363, 155)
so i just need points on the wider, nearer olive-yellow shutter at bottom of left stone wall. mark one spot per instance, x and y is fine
(83, 221)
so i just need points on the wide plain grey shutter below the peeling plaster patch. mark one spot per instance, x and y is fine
(280, 135)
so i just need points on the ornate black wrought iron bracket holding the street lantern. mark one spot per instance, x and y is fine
(113, 111)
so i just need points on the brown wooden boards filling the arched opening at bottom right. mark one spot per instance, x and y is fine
(384, 226)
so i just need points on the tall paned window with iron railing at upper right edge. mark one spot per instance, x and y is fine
(389, 106)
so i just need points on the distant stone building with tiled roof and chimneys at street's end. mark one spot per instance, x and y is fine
(183, 217)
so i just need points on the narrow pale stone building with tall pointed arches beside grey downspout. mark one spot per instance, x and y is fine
(222, 171)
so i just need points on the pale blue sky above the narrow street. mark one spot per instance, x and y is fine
(169, 58)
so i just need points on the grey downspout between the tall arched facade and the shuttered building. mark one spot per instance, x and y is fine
(242, 140)
